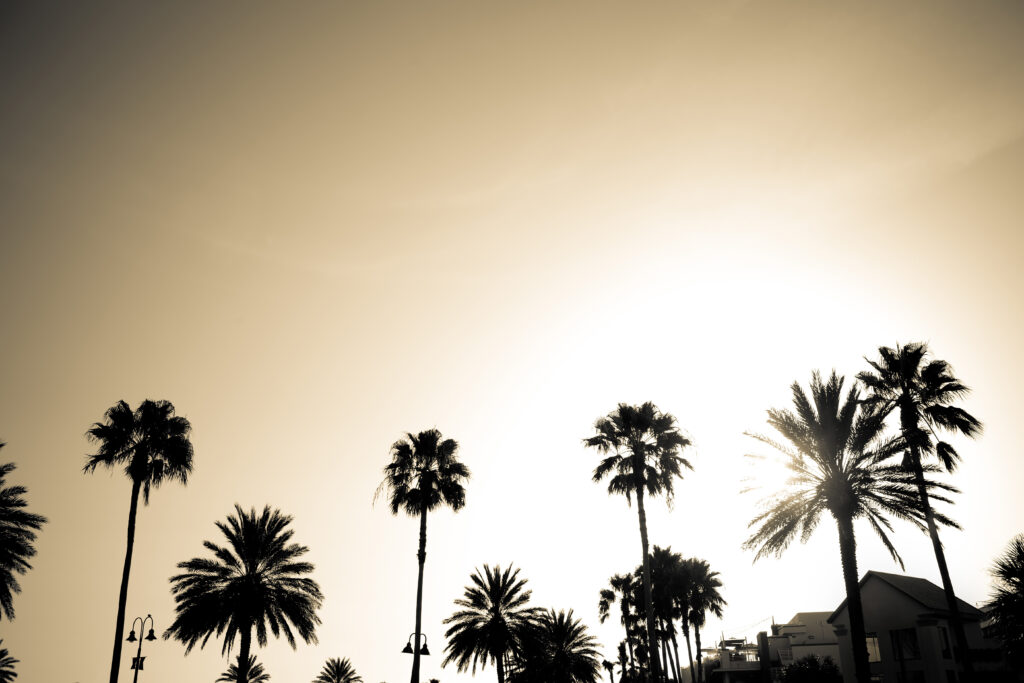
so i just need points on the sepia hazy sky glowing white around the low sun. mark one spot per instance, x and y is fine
(316, 228)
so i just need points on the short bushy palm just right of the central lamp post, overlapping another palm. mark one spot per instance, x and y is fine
(493, 618)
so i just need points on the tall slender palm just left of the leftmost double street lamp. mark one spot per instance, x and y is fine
(152, 444)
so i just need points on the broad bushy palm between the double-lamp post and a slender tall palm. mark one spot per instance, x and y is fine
(255, 581)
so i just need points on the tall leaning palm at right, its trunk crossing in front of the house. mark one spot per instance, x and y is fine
(922, 392)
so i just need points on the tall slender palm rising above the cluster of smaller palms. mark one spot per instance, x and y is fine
(643, 449)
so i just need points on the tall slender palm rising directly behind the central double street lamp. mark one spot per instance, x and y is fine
(423, 474)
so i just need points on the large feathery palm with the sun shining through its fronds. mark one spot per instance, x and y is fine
(834, 449)
